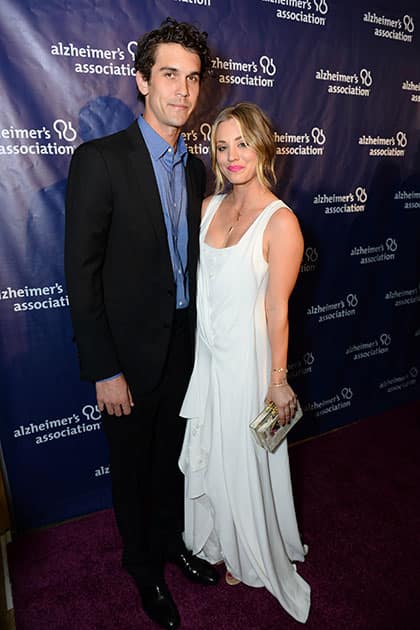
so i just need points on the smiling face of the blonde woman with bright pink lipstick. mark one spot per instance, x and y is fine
(236, 160)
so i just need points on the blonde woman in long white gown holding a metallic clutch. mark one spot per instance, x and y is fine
(239, 505)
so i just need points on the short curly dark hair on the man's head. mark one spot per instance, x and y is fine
(171, 32)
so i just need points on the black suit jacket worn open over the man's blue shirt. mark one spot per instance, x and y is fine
(117, 261)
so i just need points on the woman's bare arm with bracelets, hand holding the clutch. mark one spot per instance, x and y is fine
(283, 249)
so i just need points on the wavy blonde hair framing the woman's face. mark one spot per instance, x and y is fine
(257, 132)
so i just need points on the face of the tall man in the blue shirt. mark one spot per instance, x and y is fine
(172, 91)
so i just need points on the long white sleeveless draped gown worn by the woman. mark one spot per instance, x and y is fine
(239, 503)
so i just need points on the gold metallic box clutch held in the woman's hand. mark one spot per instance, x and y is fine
(267, 429)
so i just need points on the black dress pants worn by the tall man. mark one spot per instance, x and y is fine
(144, 447)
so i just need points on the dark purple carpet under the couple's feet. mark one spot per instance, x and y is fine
(357, 498)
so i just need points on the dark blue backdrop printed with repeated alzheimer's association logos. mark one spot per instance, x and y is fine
(341, 82)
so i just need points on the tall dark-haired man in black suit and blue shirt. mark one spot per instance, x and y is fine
(132, 222)
